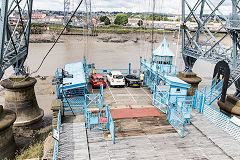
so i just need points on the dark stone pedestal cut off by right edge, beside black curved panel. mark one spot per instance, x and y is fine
(231, 107)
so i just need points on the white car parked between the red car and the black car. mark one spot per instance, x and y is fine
(115, 78)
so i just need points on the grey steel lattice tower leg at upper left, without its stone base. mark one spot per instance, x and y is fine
(15, 23)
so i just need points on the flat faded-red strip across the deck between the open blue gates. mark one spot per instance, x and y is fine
(135, 112)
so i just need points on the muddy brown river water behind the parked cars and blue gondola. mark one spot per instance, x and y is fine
(106, 55)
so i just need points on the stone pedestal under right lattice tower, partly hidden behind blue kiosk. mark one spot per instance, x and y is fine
(192, 79)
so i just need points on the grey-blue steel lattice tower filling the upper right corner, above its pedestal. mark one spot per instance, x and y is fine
(204, 42)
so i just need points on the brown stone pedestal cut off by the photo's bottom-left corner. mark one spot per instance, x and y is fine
(7, 143)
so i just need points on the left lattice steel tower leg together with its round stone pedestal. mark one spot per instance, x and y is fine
(15, 23)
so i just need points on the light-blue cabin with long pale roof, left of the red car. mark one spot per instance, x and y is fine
(71, 86)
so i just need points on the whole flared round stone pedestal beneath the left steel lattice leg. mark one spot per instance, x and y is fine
(20, 98)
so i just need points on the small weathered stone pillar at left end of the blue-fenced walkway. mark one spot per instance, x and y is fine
(56, 105)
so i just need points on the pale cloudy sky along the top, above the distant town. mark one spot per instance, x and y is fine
(162, 6)
